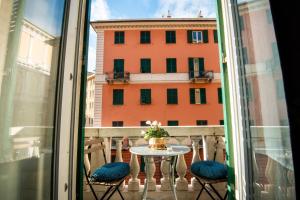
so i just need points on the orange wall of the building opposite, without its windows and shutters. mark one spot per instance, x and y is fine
(132, 112)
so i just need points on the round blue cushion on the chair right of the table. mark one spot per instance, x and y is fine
(209, 169)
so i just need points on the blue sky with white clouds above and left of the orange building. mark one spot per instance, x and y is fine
(131, 9)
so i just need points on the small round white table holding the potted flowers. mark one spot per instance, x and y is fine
(172, 152)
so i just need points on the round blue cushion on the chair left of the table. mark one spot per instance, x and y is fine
(111, 172)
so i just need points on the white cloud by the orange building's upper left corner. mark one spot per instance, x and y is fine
(100, 10)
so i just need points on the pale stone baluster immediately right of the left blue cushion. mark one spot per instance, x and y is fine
(134, 182)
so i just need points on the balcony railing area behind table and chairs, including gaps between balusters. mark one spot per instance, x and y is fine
(201, 139)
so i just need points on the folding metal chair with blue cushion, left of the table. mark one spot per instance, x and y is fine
(110, 174)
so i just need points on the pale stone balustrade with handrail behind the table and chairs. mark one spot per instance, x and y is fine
(180, 134)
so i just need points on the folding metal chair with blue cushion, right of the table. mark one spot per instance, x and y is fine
(208, 173)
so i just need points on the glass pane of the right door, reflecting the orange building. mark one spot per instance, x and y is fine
(264, 106)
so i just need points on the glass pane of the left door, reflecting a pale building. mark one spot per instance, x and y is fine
(30, 43)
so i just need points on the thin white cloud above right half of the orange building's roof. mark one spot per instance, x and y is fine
(186, 8)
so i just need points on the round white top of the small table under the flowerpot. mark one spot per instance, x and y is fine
(173, 150)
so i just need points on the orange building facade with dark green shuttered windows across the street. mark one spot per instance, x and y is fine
(157, 69)
